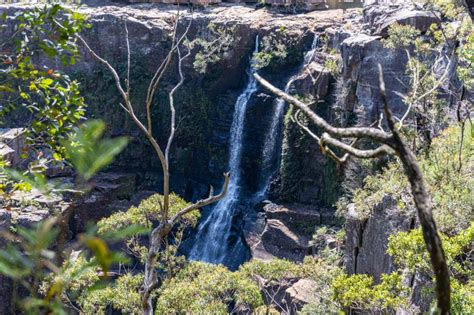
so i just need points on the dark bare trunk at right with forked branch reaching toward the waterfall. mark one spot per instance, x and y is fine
(390, 143)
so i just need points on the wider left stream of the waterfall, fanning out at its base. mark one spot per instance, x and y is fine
(211, 242)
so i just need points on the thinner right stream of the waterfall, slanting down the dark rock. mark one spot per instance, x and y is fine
(270, 144)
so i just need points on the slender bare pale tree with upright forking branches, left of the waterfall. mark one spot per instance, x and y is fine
(181, 49)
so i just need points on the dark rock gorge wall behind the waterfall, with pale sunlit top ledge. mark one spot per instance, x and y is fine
(306, 184)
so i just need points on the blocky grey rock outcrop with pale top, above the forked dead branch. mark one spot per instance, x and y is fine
(359, 90)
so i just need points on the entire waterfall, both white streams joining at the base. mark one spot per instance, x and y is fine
(215, 240)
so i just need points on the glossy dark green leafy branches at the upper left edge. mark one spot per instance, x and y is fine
(29, 80)
